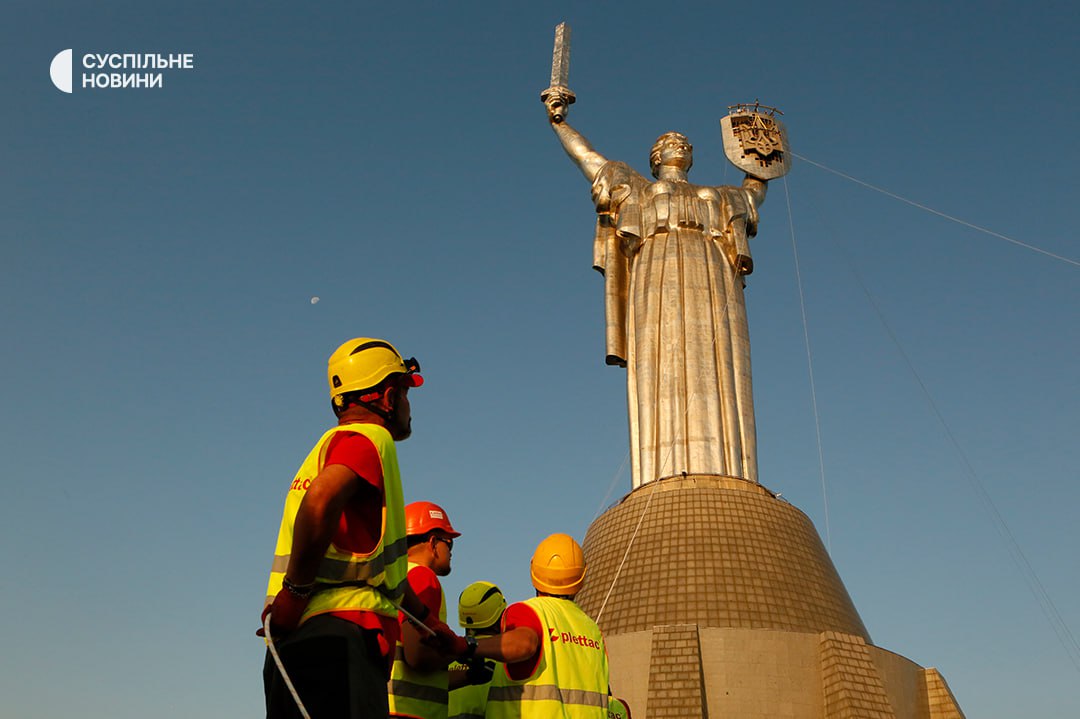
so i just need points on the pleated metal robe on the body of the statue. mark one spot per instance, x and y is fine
(673, 256)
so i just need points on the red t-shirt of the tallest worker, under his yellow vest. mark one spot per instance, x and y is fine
(361, 524)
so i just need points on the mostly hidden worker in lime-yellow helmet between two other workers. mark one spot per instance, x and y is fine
(480, 612)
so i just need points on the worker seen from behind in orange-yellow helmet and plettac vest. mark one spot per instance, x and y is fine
(556, 659)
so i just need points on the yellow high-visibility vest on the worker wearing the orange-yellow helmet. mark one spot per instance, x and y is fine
(572, 679)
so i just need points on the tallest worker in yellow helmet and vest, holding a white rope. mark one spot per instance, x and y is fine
(340, 567)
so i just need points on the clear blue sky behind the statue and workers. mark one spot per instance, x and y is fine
(165, 368)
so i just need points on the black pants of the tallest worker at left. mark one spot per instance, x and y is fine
(336, 669)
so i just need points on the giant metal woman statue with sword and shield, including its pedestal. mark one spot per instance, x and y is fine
(715, 596)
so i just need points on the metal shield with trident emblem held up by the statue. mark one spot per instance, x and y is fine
(757, 143)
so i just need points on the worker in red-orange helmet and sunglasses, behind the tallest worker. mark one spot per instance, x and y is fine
(421, 681)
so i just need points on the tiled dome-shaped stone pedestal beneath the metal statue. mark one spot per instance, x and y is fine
(727, 605)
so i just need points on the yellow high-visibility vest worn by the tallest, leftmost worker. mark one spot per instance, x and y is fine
(348, 581)
